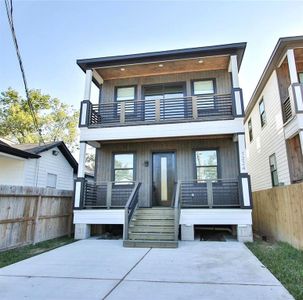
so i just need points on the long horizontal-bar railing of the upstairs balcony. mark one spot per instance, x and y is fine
(133, 112)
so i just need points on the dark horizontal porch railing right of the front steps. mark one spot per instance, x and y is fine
(218, 193)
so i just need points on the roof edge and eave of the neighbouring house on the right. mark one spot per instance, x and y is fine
(279, 51)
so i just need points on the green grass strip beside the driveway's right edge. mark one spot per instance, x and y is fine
(284, 261)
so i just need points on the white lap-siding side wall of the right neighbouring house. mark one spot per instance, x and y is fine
(267, 140)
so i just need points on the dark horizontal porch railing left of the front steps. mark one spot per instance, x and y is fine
(106, 194)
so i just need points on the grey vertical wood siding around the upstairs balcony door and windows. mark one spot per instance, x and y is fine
(223, 82)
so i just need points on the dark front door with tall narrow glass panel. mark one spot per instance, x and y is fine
(164, 177)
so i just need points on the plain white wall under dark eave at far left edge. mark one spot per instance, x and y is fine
(11, 171)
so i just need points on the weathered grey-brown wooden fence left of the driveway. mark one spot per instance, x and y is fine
(30, 215)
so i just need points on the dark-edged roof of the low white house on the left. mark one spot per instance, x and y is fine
(33, 151)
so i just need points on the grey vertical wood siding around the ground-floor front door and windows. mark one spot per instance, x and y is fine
(228, 159)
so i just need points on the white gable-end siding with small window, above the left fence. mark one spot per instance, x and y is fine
(49, 163)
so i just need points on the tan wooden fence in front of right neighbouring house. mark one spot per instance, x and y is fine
(278, 214)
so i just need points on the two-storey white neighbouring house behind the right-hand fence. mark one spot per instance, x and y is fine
(274, 119)
